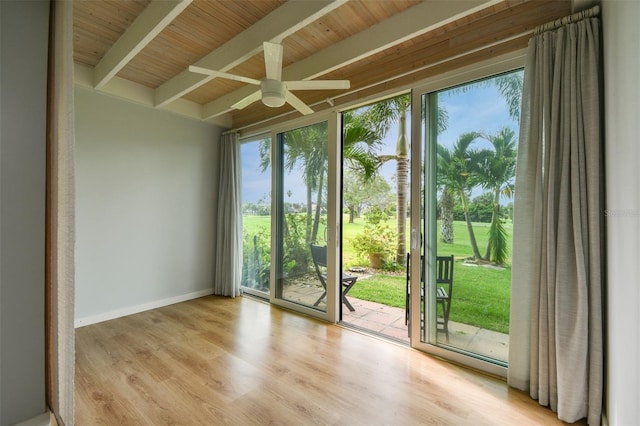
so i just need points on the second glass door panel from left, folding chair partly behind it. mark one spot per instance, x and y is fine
(301, 215)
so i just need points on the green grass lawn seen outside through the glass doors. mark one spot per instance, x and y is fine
(481, 295)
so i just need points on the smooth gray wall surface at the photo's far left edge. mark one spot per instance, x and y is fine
(23, 91)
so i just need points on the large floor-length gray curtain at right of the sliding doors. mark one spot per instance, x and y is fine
(556, 346)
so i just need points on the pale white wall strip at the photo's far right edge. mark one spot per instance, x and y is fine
(621, 33)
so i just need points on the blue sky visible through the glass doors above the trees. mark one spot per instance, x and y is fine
(481, 109)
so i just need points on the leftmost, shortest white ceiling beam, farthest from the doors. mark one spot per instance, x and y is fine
(153, 19)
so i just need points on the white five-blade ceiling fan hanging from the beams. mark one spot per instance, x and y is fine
(273, 91)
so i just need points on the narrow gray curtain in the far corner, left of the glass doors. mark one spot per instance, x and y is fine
(228, 264)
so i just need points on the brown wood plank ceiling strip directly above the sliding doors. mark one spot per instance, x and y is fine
(492, 35)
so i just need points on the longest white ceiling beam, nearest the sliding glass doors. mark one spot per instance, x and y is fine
(413, 22)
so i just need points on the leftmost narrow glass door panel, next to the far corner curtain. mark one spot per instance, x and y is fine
(256, 216)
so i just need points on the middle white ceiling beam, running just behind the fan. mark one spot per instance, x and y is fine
(282, 22)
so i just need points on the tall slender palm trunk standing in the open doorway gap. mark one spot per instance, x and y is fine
(402, 175)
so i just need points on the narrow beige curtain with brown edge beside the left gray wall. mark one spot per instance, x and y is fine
(60, 229)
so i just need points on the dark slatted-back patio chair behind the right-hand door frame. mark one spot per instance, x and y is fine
(444, 290)
